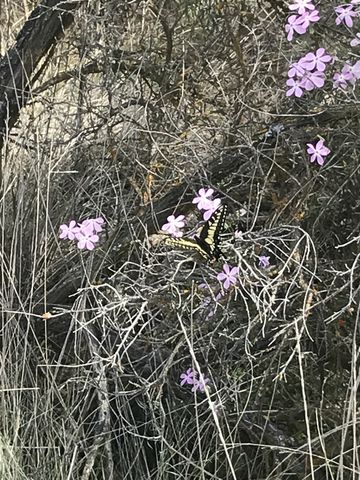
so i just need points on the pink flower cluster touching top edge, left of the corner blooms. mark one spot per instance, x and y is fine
(306, 14)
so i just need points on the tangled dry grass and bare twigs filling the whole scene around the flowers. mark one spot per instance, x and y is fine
(140, 104)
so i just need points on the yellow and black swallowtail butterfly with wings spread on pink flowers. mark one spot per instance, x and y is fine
(207, 238)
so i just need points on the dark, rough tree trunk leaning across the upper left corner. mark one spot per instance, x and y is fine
(42, 30)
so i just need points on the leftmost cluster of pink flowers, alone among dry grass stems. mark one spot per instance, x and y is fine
(85, 233)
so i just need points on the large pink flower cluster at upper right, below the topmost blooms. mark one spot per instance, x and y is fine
(308, 72)
